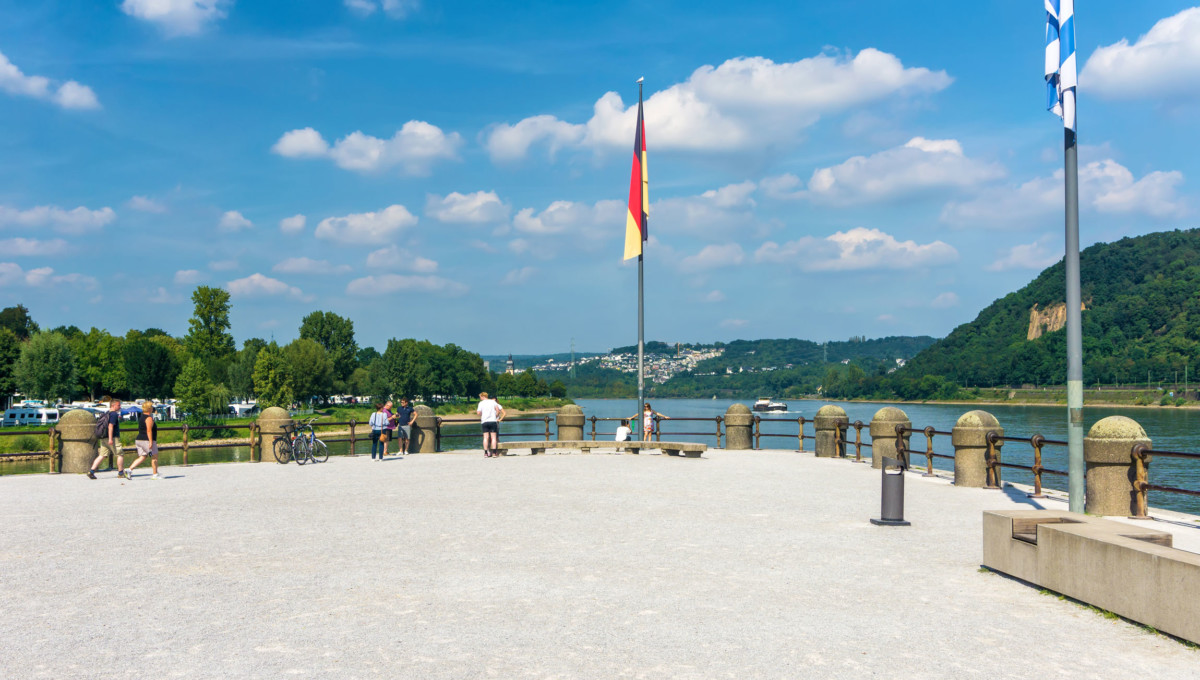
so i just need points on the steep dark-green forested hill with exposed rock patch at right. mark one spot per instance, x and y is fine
(1143, 315)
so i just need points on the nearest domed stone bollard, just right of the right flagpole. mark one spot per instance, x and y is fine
(1112, 472)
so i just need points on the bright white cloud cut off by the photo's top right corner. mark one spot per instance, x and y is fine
(1165, 63)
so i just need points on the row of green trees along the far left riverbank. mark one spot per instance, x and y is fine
(205, 371)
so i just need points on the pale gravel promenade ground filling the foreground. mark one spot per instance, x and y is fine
(739, 565)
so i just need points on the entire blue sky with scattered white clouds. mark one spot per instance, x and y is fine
(458, 171)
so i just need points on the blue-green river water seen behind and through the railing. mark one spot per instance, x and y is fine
(1169, 429)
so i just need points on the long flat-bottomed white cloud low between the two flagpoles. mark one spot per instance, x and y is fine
(856, 250)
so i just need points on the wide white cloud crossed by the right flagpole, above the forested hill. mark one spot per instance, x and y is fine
(1105, 186)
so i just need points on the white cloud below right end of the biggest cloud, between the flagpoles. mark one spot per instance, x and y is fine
(919, 166)
